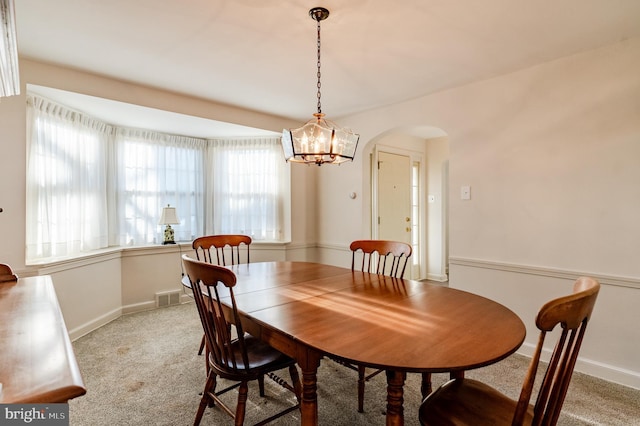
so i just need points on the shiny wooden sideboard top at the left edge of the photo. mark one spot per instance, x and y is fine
(37, 363)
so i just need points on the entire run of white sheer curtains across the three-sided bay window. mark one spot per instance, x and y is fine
(91, 185)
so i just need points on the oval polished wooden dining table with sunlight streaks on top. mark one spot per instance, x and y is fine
(309, 310)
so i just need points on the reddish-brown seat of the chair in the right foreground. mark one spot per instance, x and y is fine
(469, 402)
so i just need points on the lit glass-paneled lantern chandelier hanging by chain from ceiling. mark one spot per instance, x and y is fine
(319, 141)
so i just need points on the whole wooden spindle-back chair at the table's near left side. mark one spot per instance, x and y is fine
(240, 359)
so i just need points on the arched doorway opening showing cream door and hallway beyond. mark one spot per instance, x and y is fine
(424, 150)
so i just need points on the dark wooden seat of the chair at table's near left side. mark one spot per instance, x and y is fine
(262, 358)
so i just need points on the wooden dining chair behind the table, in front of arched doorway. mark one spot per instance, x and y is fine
(380, 257)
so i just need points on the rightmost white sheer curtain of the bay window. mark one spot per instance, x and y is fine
(245, 188)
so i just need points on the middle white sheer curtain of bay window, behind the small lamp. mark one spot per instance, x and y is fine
(153, 170)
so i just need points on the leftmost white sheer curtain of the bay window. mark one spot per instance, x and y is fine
(66, 181)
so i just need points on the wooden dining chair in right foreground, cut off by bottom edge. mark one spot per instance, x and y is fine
(470, 402)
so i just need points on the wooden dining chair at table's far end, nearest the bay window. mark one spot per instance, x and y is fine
(222, 250)
